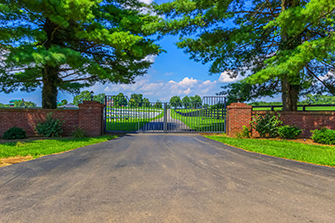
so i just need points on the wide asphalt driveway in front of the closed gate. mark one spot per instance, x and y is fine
(165, 178)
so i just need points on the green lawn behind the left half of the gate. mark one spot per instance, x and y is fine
(131, 124)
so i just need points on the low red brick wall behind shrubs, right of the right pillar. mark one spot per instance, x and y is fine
(304, 120)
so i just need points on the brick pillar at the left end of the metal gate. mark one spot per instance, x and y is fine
(90, 118)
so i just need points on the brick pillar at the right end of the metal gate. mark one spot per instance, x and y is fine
(239, 114)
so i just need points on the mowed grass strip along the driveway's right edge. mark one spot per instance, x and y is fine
(322, 155)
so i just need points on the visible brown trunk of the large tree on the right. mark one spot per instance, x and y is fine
(290, 92)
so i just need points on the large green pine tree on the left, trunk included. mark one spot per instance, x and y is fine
(68, 45)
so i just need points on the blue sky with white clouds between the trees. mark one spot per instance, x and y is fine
(172, 73)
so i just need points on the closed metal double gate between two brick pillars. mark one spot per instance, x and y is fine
(124, 115)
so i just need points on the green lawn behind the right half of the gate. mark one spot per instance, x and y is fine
(200, 123)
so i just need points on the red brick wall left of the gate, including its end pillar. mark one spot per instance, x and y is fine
(88, 117)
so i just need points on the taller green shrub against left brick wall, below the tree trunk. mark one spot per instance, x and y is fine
(50, 128)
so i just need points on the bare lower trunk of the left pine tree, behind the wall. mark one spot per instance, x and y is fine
(50, 87)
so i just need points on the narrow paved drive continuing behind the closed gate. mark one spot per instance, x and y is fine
(173, 125)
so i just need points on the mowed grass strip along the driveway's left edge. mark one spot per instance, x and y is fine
(38, 148)
